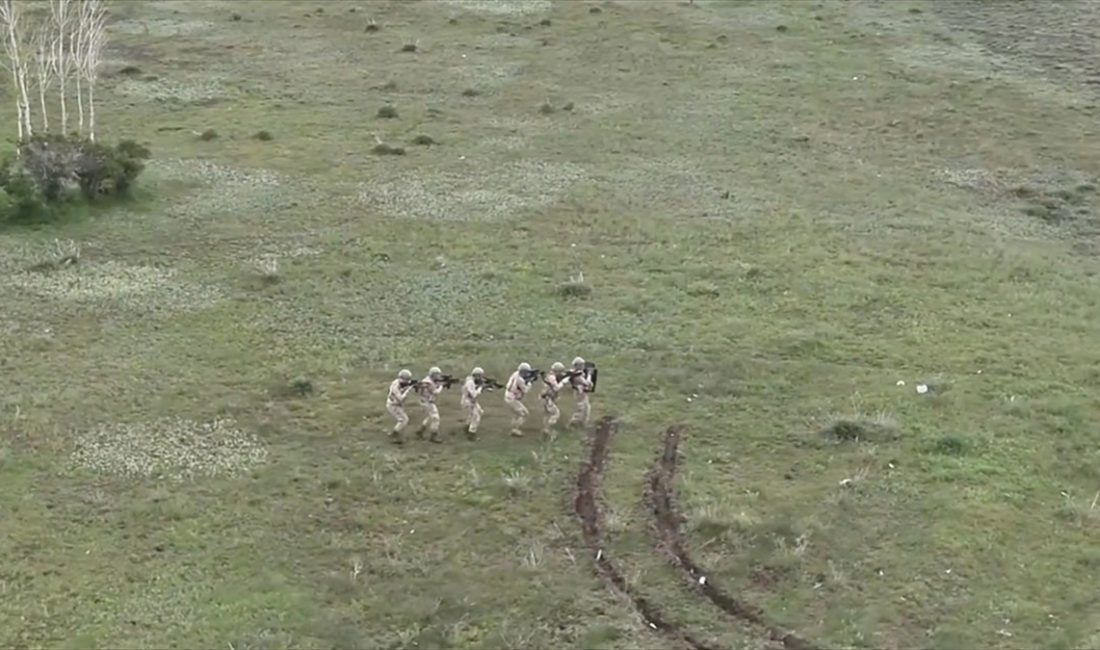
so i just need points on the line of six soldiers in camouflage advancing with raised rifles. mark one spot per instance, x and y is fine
(581, 379)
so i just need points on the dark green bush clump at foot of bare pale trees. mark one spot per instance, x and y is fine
(50, 172)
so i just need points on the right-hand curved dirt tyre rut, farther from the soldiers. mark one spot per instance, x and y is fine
(667, 524)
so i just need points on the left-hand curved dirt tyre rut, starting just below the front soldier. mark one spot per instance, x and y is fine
(588, 509)
